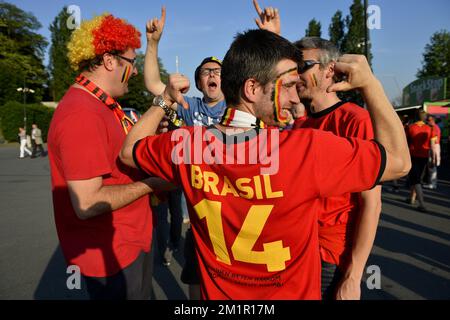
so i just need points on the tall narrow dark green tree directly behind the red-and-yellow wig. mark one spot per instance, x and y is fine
(62, 75)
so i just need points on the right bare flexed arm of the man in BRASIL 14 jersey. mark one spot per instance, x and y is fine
(387, 126)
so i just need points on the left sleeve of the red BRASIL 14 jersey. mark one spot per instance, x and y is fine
(153, 155)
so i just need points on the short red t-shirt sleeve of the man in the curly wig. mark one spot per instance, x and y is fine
(83, 145)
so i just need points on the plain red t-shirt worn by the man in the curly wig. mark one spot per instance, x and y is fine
(84, 142)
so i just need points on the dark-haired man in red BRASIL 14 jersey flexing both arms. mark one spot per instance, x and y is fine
(254, 193)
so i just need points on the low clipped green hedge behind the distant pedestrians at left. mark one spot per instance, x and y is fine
(11, 115)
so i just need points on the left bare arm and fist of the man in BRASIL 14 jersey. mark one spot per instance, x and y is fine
(149, 123)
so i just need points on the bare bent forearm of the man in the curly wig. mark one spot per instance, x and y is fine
(90, 198)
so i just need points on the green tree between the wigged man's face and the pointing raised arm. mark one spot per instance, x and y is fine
(138, 97)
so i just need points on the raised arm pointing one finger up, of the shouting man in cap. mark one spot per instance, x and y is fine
(152, 76)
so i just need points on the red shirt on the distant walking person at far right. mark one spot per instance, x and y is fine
(419, 139)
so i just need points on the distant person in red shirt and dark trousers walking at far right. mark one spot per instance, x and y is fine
(421, 140)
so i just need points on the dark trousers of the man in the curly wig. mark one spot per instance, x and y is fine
(132, 283)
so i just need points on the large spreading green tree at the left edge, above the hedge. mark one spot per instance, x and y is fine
(21, 54)
